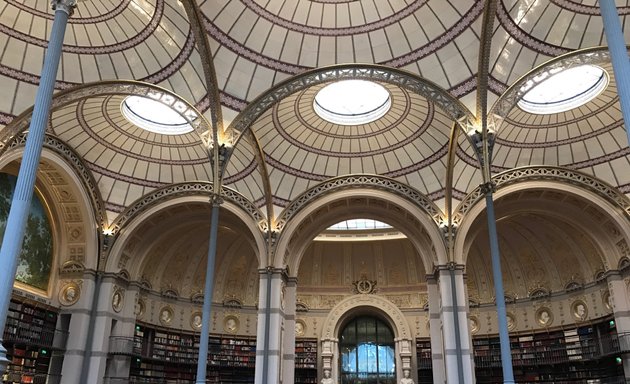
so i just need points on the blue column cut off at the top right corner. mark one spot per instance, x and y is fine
(619, 56)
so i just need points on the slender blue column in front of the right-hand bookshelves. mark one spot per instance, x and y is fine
(504, 337)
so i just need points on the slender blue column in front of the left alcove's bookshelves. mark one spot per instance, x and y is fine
(202, 362)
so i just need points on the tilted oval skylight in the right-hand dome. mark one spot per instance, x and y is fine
(563, 89)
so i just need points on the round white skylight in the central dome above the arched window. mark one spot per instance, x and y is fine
(352, 102)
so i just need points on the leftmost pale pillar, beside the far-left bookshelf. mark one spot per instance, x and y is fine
(77, 339)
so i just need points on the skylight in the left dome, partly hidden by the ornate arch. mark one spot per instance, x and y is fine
(155, 116)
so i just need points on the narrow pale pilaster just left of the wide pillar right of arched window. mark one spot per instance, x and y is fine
(435, 331)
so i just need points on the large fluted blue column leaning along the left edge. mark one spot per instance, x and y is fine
(21, 203)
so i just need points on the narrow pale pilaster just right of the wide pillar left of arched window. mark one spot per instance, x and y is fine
(288, 354)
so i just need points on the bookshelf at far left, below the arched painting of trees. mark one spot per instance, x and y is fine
(28, 337)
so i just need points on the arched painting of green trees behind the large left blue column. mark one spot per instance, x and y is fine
(35, 259)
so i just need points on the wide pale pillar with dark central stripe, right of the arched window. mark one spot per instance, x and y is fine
(457, 349)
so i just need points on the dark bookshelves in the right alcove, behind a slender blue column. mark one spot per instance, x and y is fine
(572, 355)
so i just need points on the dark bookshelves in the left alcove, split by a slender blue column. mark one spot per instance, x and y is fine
(169, 356)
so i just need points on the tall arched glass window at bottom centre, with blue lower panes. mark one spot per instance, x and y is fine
(367, 352)
